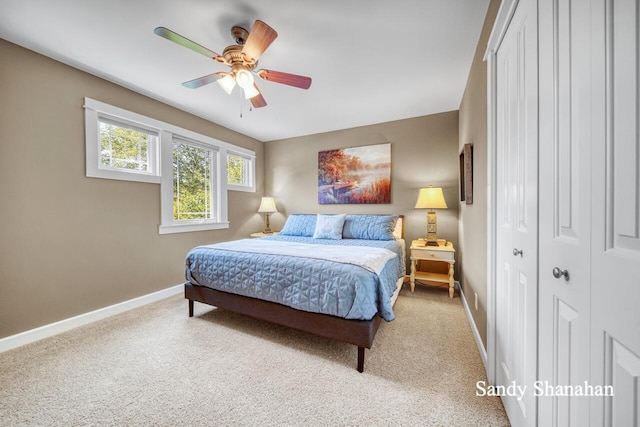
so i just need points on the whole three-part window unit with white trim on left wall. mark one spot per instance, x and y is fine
(194, 171)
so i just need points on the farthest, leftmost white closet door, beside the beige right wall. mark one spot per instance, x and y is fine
(516, 212)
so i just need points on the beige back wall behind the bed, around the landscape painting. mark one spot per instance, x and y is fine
(424, 151)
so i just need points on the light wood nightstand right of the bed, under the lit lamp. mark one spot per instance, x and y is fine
(444, 253)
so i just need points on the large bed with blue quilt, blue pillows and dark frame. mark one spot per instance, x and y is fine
(336, 276)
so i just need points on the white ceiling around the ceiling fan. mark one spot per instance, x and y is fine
(371, 61)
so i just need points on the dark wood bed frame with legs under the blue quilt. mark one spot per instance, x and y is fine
(357, 332)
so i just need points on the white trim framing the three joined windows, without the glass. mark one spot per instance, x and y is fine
(166, 133)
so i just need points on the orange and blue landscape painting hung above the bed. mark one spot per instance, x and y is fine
(355, 175)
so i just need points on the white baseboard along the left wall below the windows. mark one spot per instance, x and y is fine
(49, 330)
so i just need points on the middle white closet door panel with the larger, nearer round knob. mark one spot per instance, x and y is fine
(565, 208)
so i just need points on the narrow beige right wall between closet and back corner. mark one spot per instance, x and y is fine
(473, 218)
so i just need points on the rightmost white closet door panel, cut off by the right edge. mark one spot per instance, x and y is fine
(615, 252)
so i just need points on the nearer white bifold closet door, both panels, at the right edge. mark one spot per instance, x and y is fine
(590, 210)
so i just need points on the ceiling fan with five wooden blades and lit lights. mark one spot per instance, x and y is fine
(242, 57)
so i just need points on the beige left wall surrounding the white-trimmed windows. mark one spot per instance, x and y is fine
(71, 244)
